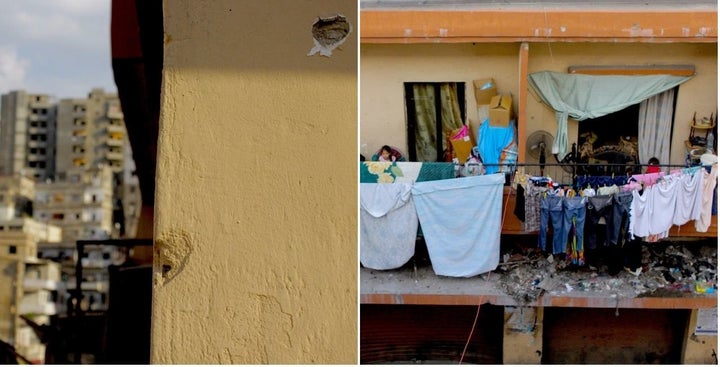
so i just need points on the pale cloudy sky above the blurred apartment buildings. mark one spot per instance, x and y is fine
(55, 47)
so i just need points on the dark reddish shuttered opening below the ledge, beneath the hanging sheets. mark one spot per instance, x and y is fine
(430, 334)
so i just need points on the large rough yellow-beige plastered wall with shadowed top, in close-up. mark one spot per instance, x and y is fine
(256, 202)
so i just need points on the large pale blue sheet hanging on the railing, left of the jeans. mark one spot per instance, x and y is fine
(461, 220)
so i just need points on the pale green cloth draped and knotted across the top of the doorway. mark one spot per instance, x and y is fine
(589, 96)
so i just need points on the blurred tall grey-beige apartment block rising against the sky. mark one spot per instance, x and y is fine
(55, 142)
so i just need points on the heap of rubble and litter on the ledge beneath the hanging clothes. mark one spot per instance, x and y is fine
(668, 270)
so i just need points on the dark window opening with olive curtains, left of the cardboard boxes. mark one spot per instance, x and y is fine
(433, 110)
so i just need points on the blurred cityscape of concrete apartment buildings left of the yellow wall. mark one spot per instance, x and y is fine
(69, 207)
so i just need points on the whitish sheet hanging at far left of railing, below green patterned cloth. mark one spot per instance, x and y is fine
(388, 225)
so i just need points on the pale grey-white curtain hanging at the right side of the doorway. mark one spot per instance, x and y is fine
(654, 124)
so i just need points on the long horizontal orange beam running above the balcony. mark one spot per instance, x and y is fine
(538, 25)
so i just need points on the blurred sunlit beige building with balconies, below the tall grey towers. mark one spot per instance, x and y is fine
(29, 287)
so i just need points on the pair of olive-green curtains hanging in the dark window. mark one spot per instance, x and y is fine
(426, 134)
